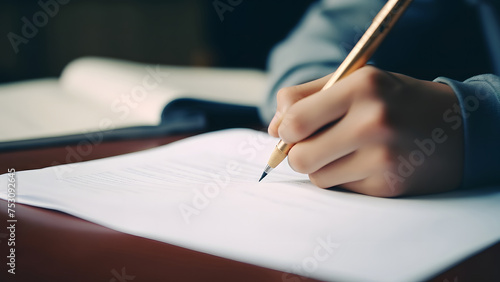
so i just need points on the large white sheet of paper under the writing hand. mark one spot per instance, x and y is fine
(202, 193)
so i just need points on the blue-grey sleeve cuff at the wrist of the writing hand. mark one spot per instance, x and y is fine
(479, 116)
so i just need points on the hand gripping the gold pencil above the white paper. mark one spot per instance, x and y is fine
(373, 132)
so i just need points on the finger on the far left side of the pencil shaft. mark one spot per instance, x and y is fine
(290, 95)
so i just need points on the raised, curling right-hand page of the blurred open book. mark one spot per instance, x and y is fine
(140, 91)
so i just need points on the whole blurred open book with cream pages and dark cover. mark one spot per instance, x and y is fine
(105, 95)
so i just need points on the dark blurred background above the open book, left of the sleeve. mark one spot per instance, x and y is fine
(172, 32)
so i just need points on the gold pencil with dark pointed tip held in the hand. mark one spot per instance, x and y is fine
(357, 58)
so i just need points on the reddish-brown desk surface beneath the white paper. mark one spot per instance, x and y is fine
(53, 246)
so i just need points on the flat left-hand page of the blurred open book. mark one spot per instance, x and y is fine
(40, 108)
